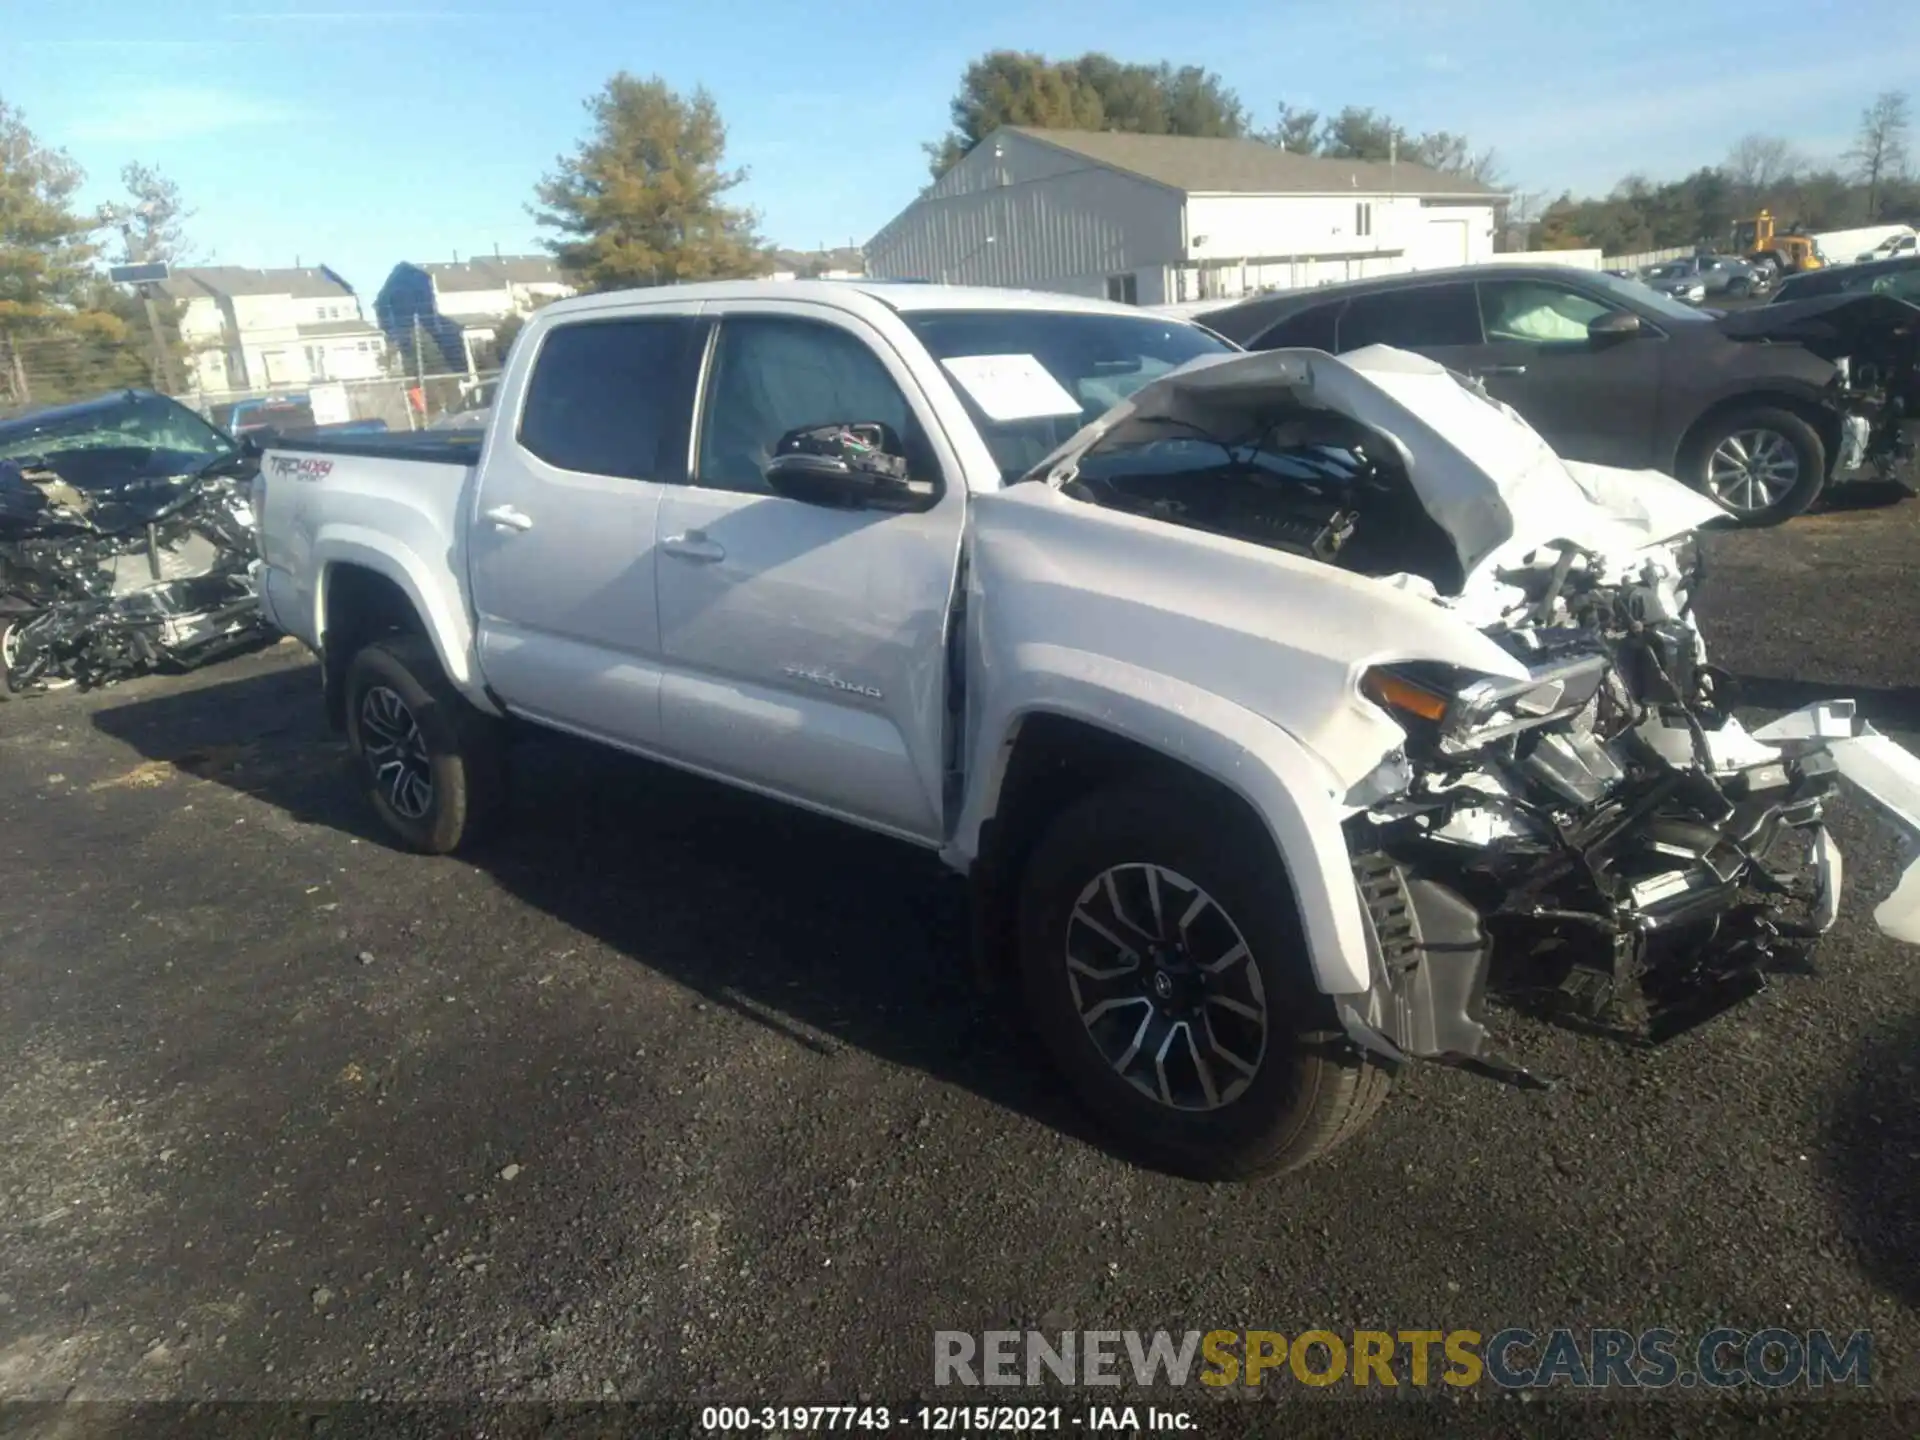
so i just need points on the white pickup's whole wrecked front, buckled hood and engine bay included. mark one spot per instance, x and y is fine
(1593, 836)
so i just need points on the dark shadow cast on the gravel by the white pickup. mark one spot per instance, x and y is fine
(825, 934)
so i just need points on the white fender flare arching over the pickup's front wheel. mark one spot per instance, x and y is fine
(1276, 775)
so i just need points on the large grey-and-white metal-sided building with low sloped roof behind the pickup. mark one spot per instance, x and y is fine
(1166, 218)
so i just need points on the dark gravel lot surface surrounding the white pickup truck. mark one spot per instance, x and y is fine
(673, 1093)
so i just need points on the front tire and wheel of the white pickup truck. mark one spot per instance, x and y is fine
(1168, 978)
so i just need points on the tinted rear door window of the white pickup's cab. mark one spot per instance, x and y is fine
(613, 398)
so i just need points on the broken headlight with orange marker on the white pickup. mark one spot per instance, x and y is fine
(1460, 711)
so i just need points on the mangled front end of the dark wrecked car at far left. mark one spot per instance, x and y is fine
(105, 585)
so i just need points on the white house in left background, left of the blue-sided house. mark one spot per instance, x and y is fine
(272, 329)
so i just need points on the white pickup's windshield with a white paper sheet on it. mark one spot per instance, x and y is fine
(1095, 362)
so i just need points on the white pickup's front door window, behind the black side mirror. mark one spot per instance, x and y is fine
(773, 375)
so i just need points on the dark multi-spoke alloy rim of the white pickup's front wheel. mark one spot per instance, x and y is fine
(1166, 988)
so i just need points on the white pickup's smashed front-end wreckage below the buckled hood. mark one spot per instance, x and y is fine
(1602, 844)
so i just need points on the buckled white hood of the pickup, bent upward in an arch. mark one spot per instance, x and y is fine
(1479, 469)
